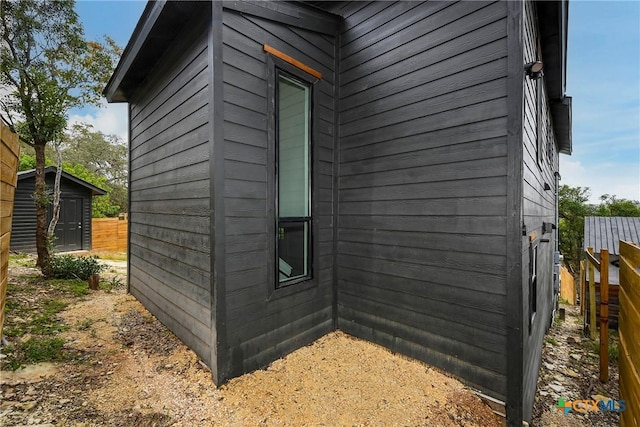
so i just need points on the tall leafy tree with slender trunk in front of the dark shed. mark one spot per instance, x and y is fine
(47, 68)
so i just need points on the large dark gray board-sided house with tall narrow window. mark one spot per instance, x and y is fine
(385, 168)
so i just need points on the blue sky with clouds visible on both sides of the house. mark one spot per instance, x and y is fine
(603, 78)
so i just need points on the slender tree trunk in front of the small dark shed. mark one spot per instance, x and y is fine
(41, 199)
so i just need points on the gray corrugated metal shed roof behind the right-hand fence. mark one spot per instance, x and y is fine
(606, 232)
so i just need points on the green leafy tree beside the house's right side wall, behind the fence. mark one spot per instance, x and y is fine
(572, 209)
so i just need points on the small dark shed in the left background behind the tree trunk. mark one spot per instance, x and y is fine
(73, 231)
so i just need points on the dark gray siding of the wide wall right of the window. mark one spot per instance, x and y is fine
(421, 224)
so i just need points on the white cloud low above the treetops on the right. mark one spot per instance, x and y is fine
(605, 178)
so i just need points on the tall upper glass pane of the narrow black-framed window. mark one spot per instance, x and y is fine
(293, 149)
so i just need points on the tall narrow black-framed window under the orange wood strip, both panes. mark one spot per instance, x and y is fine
(293, 176)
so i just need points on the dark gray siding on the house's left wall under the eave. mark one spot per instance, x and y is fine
(169, 220)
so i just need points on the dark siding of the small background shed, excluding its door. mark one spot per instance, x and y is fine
(23, 226)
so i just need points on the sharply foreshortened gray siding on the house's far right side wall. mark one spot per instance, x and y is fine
(538, 207)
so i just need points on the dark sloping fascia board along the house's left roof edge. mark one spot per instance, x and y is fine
(131, 51)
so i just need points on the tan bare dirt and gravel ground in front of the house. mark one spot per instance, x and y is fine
(128, 370)
